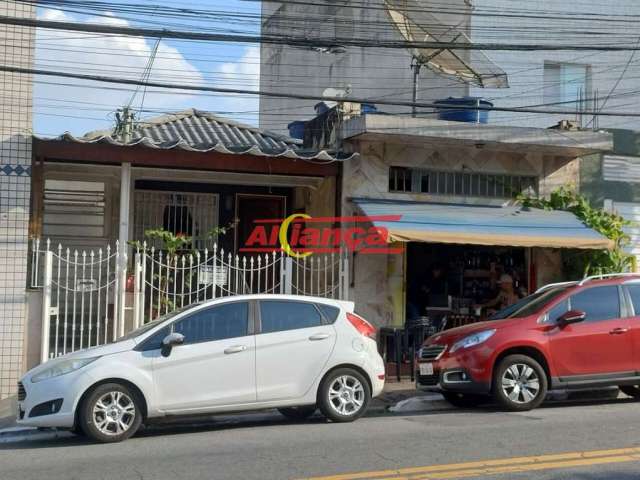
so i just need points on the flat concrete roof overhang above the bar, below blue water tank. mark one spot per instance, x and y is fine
(422, 131)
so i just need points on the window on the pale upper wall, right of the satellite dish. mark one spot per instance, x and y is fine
(567, 82)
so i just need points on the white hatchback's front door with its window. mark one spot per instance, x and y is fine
(216, 364)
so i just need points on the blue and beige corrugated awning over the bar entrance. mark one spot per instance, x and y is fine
(482, 225)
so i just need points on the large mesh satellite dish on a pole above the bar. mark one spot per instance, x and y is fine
(469, 66)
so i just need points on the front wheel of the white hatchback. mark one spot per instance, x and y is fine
(110, 413)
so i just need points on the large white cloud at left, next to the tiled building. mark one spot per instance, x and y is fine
(96, 54)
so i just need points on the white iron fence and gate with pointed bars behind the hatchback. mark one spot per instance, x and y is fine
(93, 297)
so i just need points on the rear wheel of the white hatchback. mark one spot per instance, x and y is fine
(344, 395)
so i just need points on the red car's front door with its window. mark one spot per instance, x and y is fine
(599, 346)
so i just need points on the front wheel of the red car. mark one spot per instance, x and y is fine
(519, 383)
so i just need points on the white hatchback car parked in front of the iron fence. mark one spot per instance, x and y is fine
(239, 353)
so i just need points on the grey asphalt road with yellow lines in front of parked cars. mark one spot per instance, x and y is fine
(587, 441)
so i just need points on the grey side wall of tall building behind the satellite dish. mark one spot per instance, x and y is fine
(371, 72)
